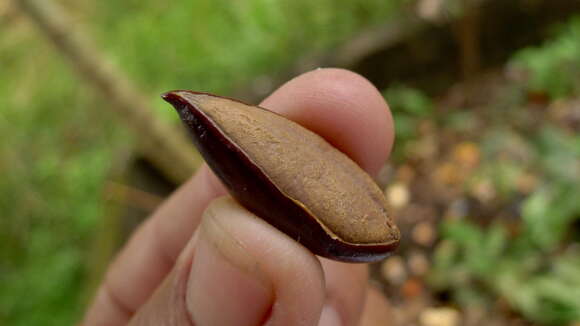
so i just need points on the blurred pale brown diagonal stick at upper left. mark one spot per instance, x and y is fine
(165, 147)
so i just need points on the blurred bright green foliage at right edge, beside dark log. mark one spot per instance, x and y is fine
(554, 67)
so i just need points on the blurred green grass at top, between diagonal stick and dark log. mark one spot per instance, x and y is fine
(217, 45)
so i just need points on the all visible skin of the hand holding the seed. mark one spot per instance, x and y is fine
(201, 259)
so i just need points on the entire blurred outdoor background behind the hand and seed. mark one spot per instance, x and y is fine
(484, 179)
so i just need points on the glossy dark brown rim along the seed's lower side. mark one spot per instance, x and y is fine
(248, 184)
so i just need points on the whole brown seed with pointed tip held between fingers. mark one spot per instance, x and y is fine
(290, 177)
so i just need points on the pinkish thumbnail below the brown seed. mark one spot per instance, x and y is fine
(226, 286)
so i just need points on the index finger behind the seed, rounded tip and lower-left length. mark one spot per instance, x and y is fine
(341, 106)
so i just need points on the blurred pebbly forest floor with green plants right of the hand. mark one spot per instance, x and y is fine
(482, 176)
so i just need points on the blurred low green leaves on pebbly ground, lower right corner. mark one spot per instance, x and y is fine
(479, 265)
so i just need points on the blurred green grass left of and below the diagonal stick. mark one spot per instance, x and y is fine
(54, 155)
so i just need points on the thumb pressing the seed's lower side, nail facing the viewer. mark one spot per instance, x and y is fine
(238, 270)
